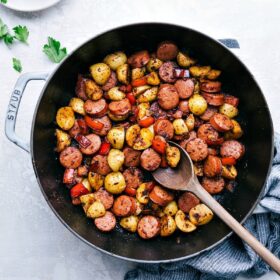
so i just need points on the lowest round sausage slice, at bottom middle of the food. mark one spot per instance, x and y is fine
(148, 227)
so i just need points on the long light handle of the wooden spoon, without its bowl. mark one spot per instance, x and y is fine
(243, 233)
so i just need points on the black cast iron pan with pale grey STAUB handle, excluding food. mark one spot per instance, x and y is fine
(254, 117)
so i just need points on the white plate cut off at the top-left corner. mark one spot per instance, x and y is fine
(30, 5)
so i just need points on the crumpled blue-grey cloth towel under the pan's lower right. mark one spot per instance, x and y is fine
(232, 257)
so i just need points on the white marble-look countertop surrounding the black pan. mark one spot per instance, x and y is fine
(34, 244)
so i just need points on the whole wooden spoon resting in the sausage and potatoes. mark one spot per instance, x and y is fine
(183, 178)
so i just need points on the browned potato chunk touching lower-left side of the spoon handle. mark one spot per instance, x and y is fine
(200, 215)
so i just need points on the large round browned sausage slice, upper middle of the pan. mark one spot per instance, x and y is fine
(168, 97)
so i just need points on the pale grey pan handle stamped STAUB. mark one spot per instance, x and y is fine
(13, 107)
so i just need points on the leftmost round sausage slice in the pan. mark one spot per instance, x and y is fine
(71, 157)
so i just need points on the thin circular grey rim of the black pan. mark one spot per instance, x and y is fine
(77, 234)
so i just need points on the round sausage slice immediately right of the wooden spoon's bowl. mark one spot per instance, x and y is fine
(197, 149)
